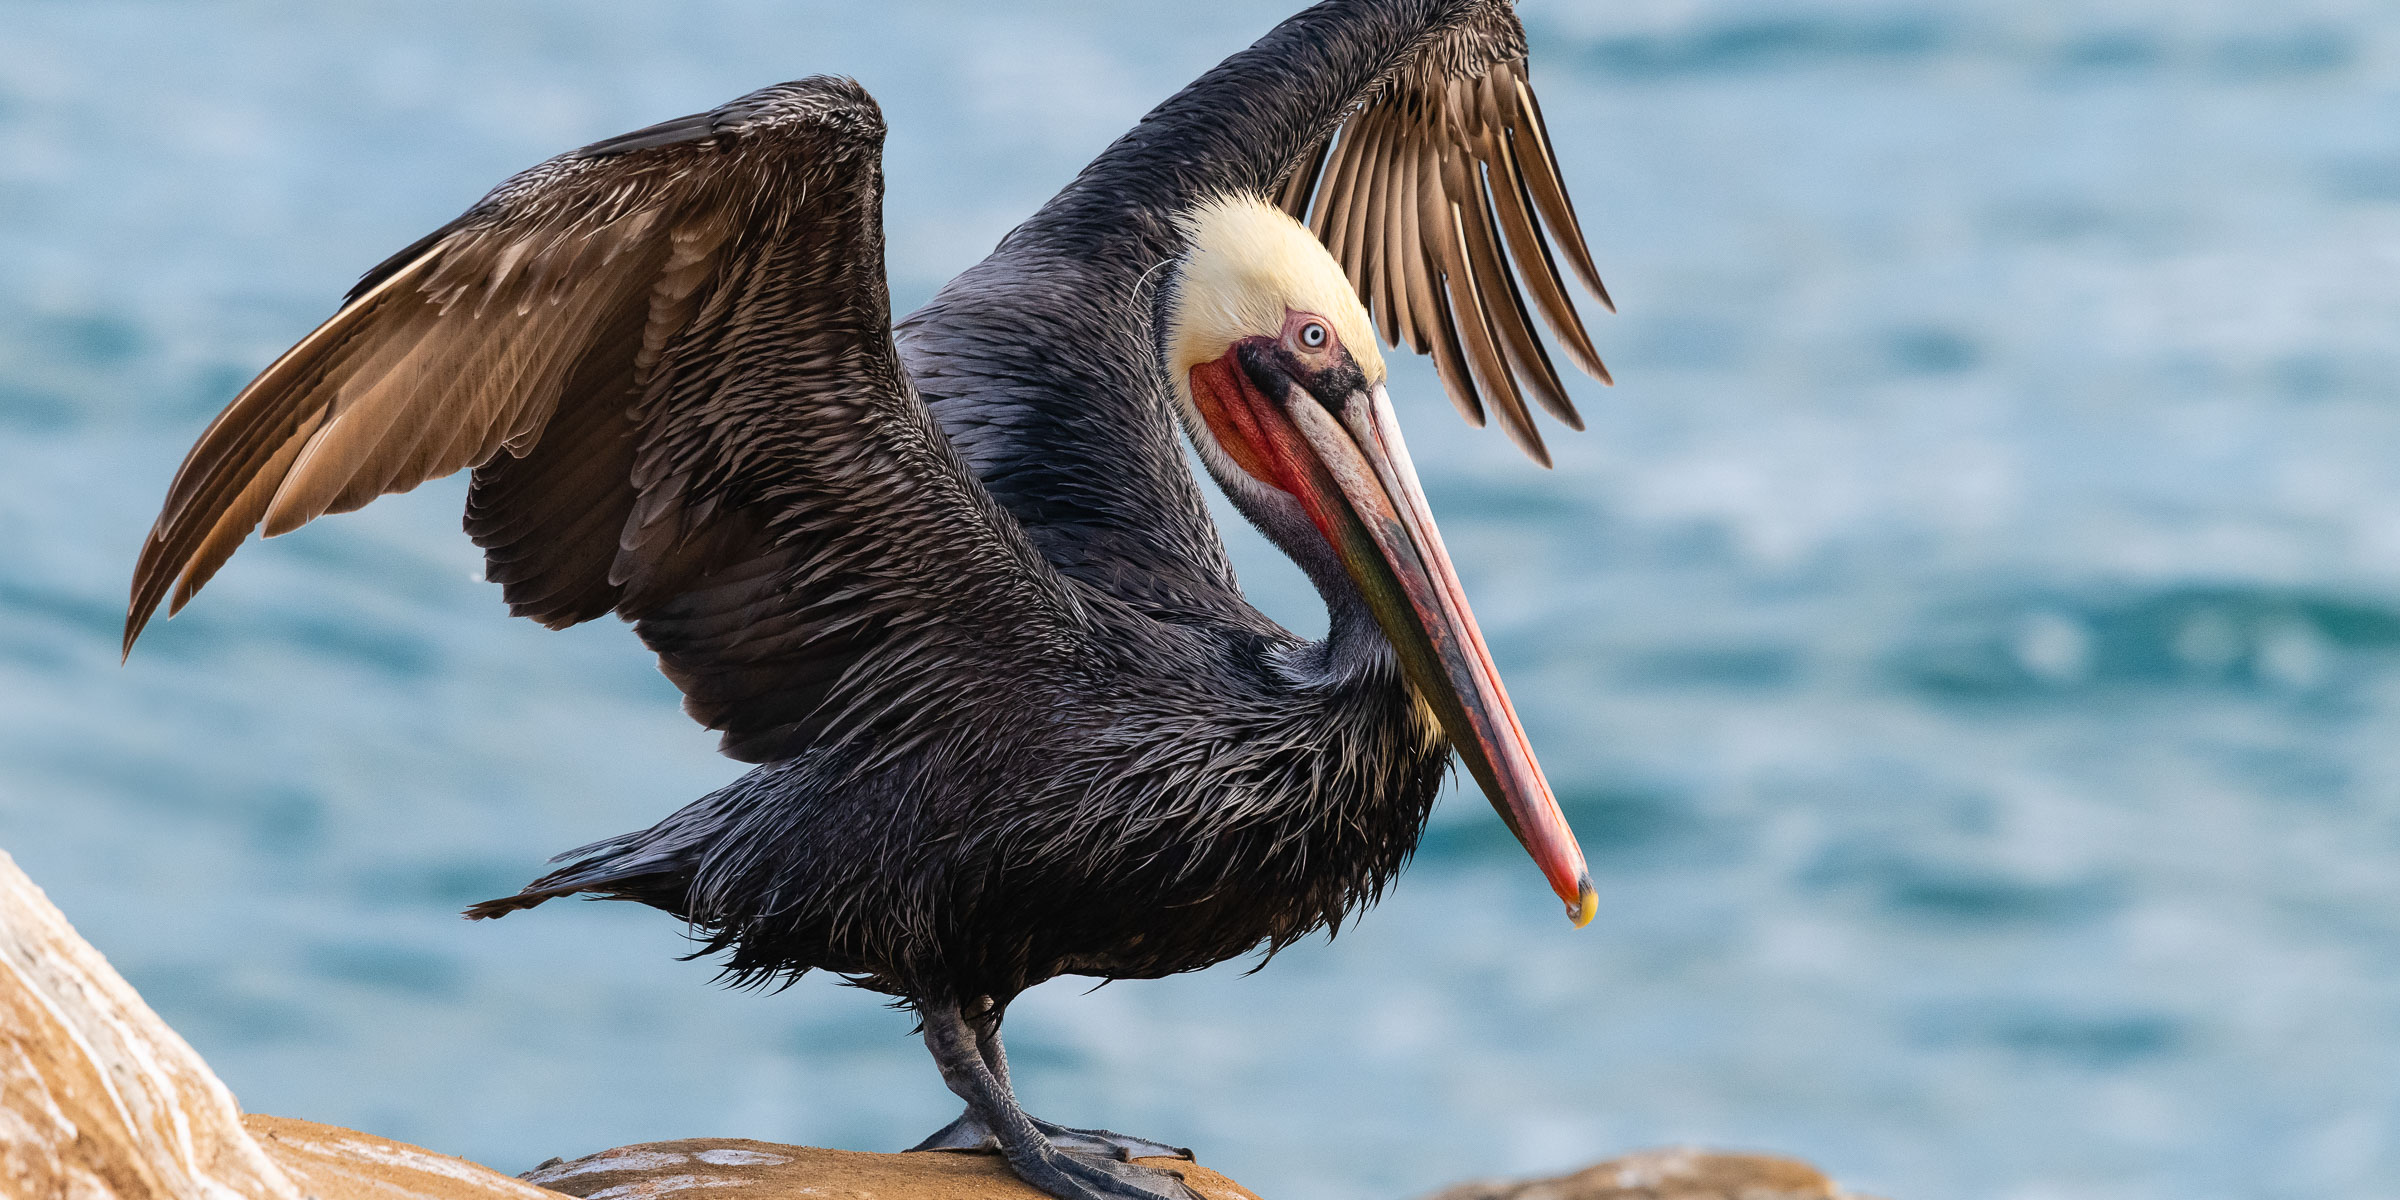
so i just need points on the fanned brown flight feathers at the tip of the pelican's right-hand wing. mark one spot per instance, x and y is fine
(1415, 198)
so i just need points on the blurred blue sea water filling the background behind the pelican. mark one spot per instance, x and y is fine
(1969, 637)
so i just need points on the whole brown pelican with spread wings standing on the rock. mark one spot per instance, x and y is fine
(949, 582)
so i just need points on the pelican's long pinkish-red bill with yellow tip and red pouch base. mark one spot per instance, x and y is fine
(1345, 462)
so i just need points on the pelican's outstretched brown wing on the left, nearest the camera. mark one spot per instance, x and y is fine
(668, 359)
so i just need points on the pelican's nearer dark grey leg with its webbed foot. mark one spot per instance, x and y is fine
(997, 1122)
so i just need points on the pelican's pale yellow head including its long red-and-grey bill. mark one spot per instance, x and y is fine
(1280, 385)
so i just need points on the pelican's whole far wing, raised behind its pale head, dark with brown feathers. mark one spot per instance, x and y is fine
(1415, 128)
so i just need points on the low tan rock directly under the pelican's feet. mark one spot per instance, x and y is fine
(738, 1170)
